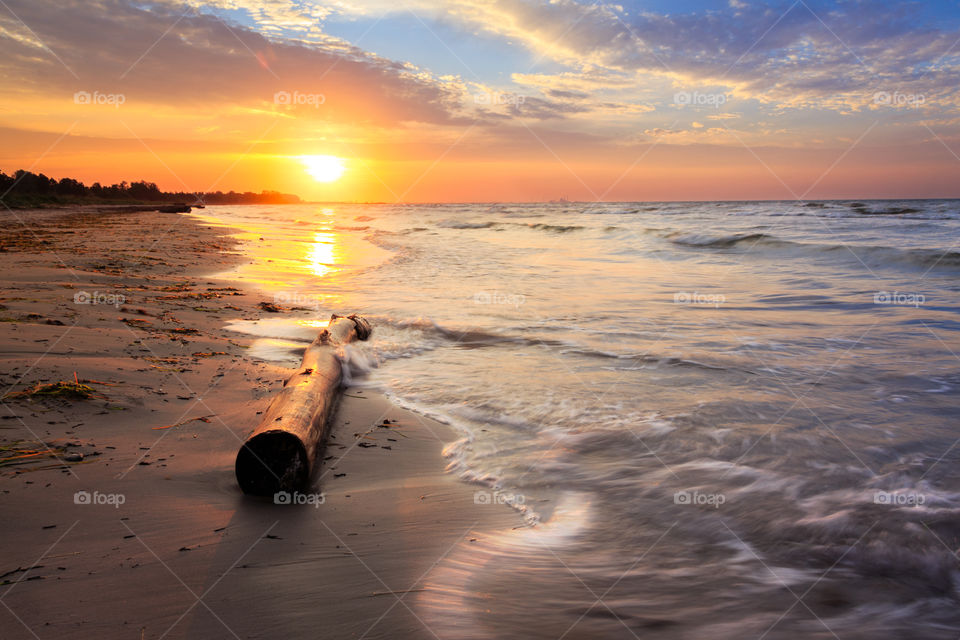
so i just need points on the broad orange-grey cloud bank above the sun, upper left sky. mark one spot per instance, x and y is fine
(169, 54)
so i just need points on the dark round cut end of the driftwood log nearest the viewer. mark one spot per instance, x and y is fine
(272, 461)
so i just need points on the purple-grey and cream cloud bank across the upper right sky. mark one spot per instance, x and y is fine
(786, 52)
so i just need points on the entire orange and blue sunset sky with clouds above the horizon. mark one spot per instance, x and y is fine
(488, 100)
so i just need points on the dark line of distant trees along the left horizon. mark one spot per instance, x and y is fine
(25, 187)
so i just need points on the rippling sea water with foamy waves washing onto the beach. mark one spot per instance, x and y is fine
(734, 419)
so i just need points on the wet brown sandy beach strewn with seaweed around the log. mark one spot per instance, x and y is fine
(167, 546)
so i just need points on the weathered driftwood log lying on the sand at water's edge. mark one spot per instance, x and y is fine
(280, 453)
